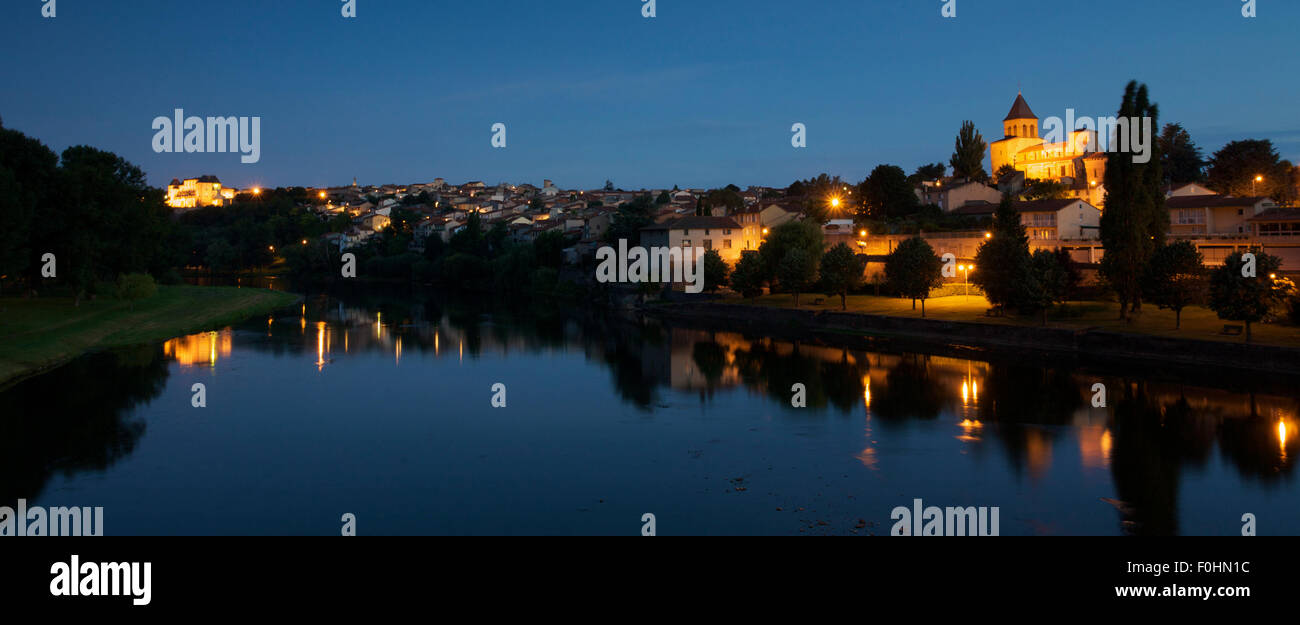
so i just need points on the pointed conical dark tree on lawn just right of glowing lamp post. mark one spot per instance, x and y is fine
(1003, 259)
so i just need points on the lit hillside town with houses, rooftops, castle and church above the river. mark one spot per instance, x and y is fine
(1217, 224)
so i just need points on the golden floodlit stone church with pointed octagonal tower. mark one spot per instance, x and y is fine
(1069, 162)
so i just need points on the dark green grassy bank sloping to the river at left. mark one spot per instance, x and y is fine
(45, 332)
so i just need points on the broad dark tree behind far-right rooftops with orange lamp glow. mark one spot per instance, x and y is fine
(1233, 171)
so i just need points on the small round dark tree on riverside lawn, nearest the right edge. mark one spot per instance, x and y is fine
(1246, 298)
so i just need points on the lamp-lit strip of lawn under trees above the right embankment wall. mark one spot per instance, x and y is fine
(1198, 323)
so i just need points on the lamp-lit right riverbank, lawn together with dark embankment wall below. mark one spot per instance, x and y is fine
(960, 322)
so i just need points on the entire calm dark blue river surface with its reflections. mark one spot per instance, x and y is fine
(379, 405)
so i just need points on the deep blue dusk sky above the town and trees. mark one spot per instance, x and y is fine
(703, 96)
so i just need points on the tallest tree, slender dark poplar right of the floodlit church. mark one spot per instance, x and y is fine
(1136, 220)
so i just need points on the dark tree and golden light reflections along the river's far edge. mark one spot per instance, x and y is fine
(950, 407)
